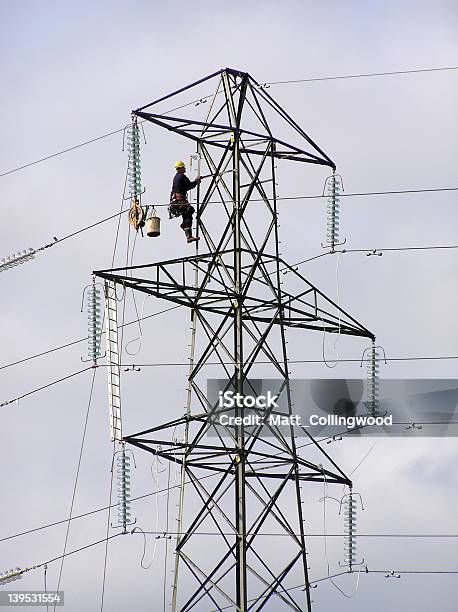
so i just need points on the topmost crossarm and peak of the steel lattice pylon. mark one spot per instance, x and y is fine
(266, 118)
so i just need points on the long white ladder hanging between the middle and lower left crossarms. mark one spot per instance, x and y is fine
(113, 365)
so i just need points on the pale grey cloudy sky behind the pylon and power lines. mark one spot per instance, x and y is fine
(73, 71)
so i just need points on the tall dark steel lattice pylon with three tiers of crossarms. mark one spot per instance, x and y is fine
(241, 304)
